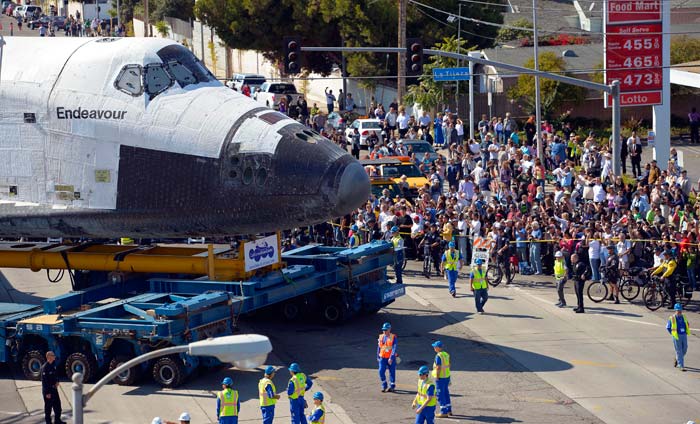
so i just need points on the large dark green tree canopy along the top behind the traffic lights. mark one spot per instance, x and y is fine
(261, 24)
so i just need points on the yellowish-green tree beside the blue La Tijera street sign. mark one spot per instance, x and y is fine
(427, 92)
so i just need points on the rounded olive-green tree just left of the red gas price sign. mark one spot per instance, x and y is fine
(552, 93)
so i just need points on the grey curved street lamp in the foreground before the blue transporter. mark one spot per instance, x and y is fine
(243, 350)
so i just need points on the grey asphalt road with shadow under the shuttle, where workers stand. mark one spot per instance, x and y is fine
(525, 361)
